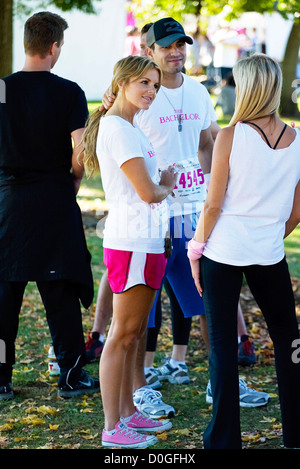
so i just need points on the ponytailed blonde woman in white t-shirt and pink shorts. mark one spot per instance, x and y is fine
(133, 241)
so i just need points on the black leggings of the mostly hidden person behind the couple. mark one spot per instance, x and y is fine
(181, 326)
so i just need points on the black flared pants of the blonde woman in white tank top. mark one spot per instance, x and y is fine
(272, 290)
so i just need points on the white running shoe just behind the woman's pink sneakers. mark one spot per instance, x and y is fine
(149, 403)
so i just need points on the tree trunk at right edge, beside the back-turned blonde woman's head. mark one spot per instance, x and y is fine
(288, 107)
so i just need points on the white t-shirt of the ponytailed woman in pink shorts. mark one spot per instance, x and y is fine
(132, 224)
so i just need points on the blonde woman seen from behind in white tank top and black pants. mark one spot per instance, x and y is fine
(253, 202)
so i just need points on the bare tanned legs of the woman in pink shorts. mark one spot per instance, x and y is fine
(130, 314)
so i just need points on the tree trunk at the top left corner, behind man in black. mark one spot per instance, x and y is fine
(6, 37)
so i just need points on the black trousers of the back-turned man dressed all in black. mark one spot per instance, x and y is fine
(63, 312)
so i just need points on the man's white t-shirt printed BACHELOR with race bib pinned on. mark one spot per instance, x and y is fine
(160, 122)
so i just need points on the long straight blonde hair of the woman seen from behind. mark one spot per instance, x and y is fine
(258, 80)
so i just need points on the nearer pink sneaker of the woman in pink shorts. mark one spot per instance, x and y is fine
(124, 437)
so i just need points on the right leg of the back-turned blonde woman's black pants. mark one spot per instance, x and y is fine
(272, 289)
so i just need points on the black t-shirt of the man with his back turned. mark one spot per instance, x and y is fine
(40, 112)
